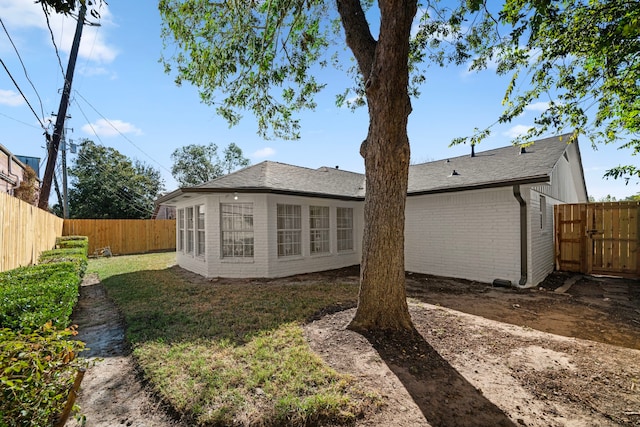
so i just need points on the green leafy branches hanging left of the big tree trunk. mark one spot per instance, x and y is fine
(244, 50)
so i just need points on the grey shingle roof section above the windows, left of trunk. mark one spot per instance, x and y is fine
(280, 177)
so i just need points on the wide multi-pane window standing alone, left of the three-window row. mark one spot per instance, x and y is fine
(237, 230)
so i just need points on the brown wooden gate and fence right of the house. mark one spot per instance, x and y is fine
(598, 238)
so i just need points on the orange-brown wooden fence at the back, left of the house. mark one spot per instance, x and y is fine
(124, 236)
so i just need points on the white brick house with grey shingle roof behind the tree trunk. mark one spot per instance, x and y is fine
(481, 217)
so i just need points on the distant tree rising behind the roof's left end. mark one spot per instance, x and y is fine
(195, 164)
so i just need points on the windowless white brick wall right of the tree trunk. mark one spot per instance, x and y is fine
(472, 235)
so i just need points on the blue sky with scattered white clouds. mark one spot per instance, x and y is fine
(122, 98)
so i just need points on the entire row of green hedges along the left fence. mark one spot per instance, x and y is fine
(39, 370)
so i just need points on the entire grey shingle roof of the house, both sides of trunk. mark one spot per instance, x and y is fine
(493, 168)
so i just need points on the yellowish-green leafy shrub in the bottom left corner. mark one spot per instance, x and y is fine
(37, 370)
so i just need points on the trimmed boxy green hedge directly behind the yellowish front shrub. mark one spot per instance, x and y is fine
(31, 296)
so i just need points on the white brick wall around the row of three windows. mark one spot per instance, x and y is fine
(306, 263)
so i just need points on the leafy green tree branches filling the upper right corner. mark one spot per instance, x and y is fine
(582, 59)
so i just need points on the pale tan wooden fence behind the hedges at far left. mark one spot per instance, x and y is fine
(26, 231)
